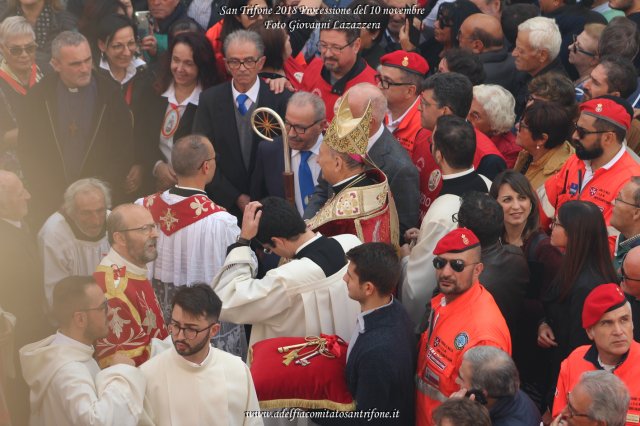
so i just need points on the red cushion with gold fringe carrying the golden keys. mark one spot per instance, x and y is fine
(319, 385)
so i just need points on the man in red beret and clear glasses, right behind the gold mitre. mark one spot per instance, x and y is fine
(400, 76)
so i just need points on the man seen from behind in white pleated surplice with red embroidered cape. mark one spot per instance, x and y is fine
(194, 232)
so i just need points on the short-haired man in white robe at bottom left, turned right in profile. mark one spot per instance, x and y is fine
(67, 385)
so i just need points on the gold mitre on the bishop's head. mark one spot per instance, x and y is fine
(347, 134)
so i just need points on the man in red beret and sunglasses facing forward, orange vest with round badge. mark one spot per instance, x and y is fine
(464, 315)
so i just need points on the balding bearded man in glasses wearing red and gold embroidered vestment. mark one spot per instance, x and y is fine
(134, 313)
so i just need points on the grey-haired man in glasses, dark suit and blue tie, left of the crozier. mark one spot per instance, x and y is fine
(224, 116)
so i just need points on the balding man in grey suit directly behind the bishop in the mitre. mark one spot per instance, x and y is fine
(386, 153)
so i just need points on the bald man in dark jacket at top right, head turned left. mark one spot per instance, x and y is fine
(482, 34)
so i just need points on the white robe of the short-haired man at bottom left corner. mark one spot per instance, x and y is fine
(68, 388)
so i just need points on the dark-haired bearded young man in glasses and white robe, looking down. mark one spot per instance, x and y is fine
(194, 383)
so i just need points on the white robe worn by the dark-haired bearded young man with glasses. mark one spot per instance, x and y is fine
(181, 393)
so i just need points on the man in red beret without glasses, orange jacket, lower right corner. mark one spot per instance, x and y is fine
(606, 317)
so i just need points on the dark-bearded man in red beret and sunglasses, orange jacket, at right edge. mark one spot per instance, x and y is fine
(601, 164)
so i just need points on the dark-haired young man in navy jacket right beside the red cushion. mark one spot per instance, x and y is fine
(381, 350)
